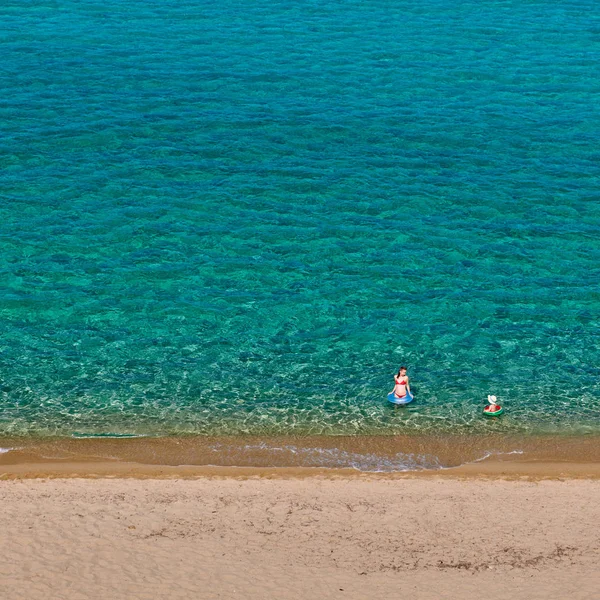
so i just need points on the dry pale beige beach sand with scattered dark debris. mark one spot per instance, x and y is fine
(299, 538)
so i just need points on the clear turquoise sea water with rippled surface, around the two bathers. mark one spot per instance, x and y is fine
(242, 217)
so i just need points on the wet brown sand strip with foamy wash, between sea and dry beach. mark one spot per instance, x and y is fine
(349, 457)
